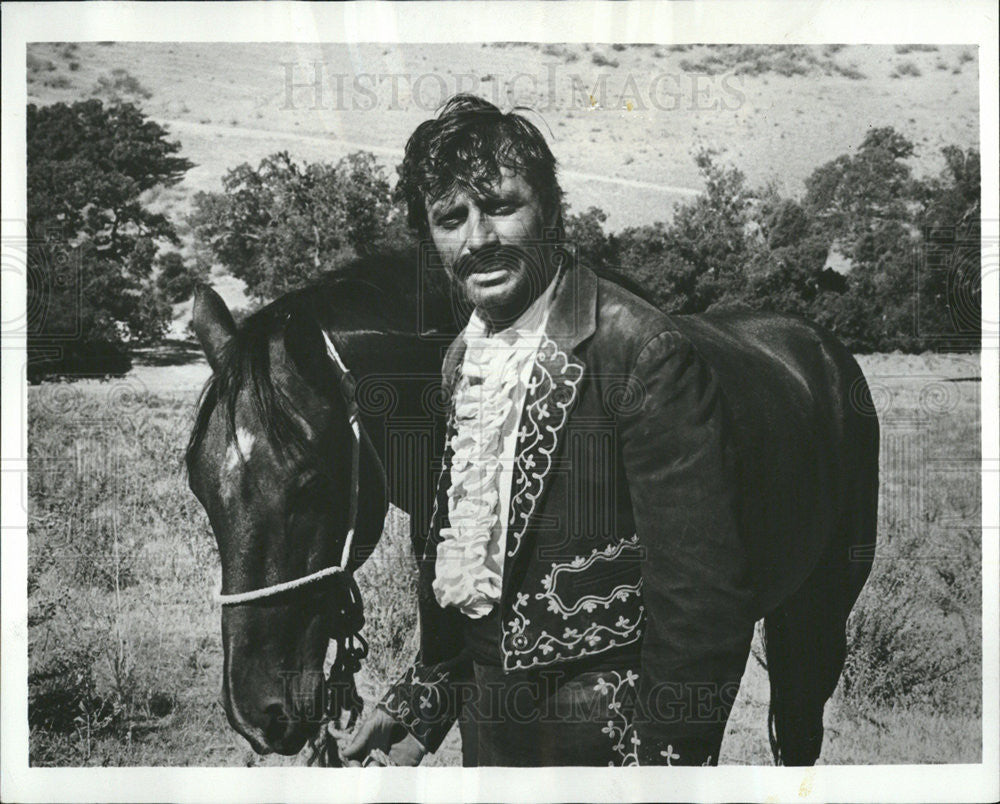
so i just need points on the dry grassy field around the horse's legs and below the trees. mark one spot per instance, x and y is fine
(124, 642)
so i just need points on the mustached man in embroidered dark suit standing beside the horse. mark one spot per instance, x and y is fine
(584, 594)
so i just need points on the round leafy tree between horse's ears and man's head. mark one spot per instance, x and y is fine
(281, 224)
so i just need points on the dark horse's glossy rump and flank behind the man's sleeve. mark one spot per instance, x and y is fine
(808, 447)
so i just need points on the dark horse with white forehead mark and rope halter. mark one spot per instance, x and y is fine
(270, 459)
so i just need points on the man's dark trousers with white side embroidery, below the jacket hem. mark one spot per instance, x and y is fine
(549, 717)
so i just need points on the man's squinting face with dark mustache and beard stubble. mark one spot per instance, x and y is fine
(490, 245)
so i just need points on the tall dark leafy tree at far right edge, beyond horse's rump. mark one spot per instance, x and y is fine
(914, 245)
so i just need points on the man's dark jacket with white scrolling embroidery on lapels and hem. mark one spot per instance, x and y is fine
(622, 529)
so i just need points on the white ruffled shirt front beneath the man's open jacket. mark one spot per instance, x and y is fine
(488, 400)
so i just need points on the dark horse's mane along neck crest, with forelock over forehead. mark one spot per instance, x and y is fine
(380, 286)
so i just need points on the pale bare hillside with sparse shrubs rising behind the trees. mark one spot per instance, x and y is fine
(623, 120)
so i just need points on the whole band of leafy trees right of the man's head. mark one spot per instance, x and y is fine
(913, 245)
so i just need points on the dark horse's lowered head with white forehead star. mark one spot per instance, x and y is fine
(270, 459)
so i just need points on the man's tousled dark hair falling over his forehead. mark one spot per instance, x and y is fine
(465, 147)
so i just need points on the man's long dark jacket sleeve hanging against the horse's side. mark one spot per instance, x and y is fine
(681, 467)
